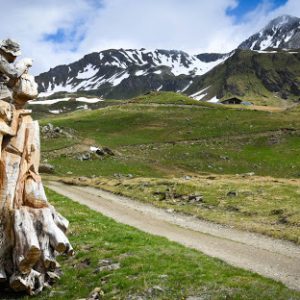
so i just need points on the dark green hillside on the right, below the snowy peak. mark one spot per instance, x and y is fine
(261, 78)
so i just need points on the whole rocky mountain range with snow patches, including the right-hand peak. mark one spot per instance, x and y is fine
(125, 73)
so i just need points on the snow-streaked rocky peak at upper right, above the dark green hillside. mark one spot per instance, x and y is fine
(282, 32)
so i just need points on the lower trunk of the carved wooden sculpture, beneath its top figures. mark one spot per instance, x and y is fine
(32, 233)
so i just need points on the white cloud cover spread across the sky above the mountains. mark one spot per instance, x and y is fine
(191, 25)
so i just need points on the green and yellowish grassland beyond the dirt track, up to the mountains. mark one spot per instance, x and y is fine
(164, 143)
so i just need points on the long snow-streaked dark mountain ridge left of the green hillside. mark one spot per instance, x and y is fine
(116, 72)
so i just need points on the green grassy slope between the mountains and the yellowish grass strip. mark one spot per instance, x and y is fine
(188, 138)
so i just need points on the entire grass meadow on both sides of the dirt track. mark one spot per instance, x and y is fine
(158, 140)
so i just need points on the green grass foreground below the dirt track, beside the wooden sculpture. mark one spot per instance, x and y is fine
(149, 267)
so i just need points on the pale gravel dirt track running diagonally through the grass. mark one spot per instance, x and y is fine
(276, 259)
